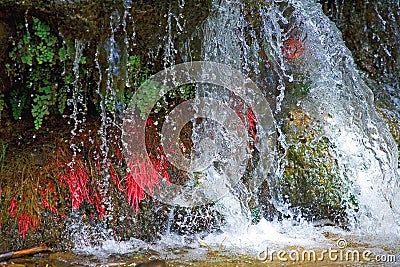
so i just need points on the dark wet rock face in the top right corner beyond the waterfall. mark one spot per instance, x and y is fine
(370, 30)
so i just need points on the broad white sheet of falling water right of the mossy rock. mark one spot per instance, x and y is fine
(367, 150)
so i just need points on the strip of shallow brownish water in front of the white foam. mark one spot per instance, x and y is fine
(204, 258)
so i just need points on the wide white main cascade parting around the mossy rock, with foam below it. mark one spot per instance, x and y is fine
(301, 46)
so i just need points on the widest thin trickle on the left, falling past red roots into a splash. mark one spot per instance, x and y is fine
(112, 79)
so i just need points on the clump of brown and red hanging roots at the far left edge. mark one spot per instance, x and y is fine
(29, 191)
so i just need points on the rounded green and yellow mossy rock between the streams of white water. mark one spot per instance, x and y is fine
(312, 182)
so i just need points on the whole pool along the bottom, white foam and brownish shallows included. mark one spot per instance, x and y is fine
(301, 245)
